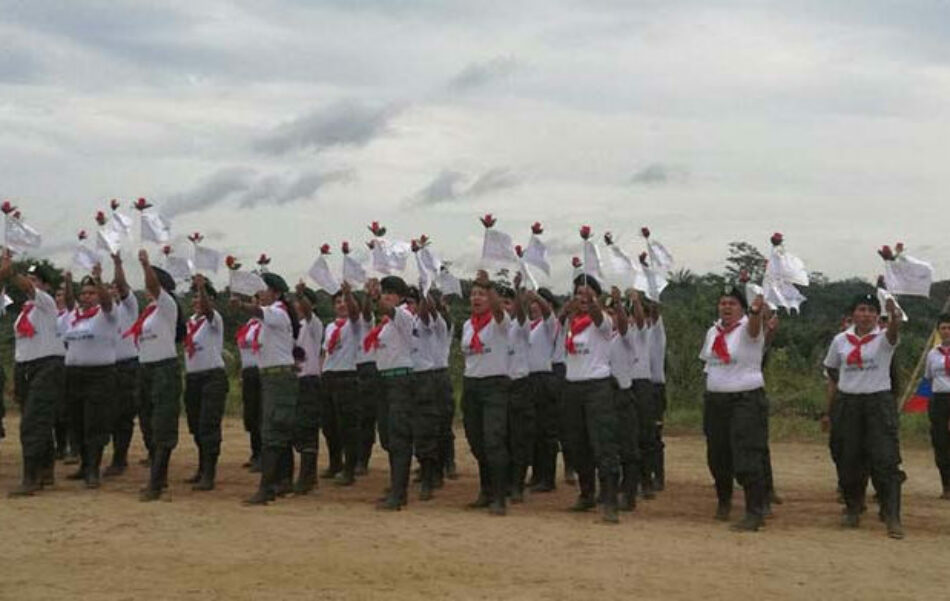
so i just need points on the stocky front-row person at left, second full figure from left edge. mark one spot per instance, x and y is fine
(90, 337)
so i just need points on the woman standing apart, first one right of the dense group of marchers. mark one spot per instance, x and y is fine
(735, 410)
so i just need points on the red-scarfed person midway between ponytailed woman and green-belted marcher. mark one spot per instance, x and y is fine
(341, 342)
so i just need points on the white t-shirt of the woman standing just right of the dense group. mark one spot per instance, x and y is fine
(744, 370)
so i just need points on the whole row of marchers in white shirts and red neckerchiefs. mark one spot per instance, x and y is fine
(585, 378)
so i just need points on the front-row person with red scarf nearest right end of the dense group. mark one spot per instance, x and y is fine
(588, 408)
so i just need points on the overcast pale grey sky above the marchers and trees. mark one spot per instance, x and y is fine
(277, 125)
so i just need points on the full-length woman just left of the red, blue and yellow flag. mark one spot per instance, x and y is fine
(866, 426)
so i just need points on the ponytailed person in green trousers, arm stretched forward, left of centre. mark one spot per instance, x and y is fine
(279, 387)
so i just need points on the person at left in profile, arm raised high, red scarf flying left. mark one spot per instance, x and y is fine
(156, 331)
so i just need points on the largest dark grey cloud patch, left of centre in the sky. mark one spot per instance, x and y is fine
(344, 123)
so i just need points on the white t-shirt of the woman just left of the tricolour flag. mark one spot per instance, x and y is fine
(874, 372)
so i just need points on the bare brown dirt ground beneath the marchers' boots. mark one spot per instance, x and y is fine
(69, 542)
